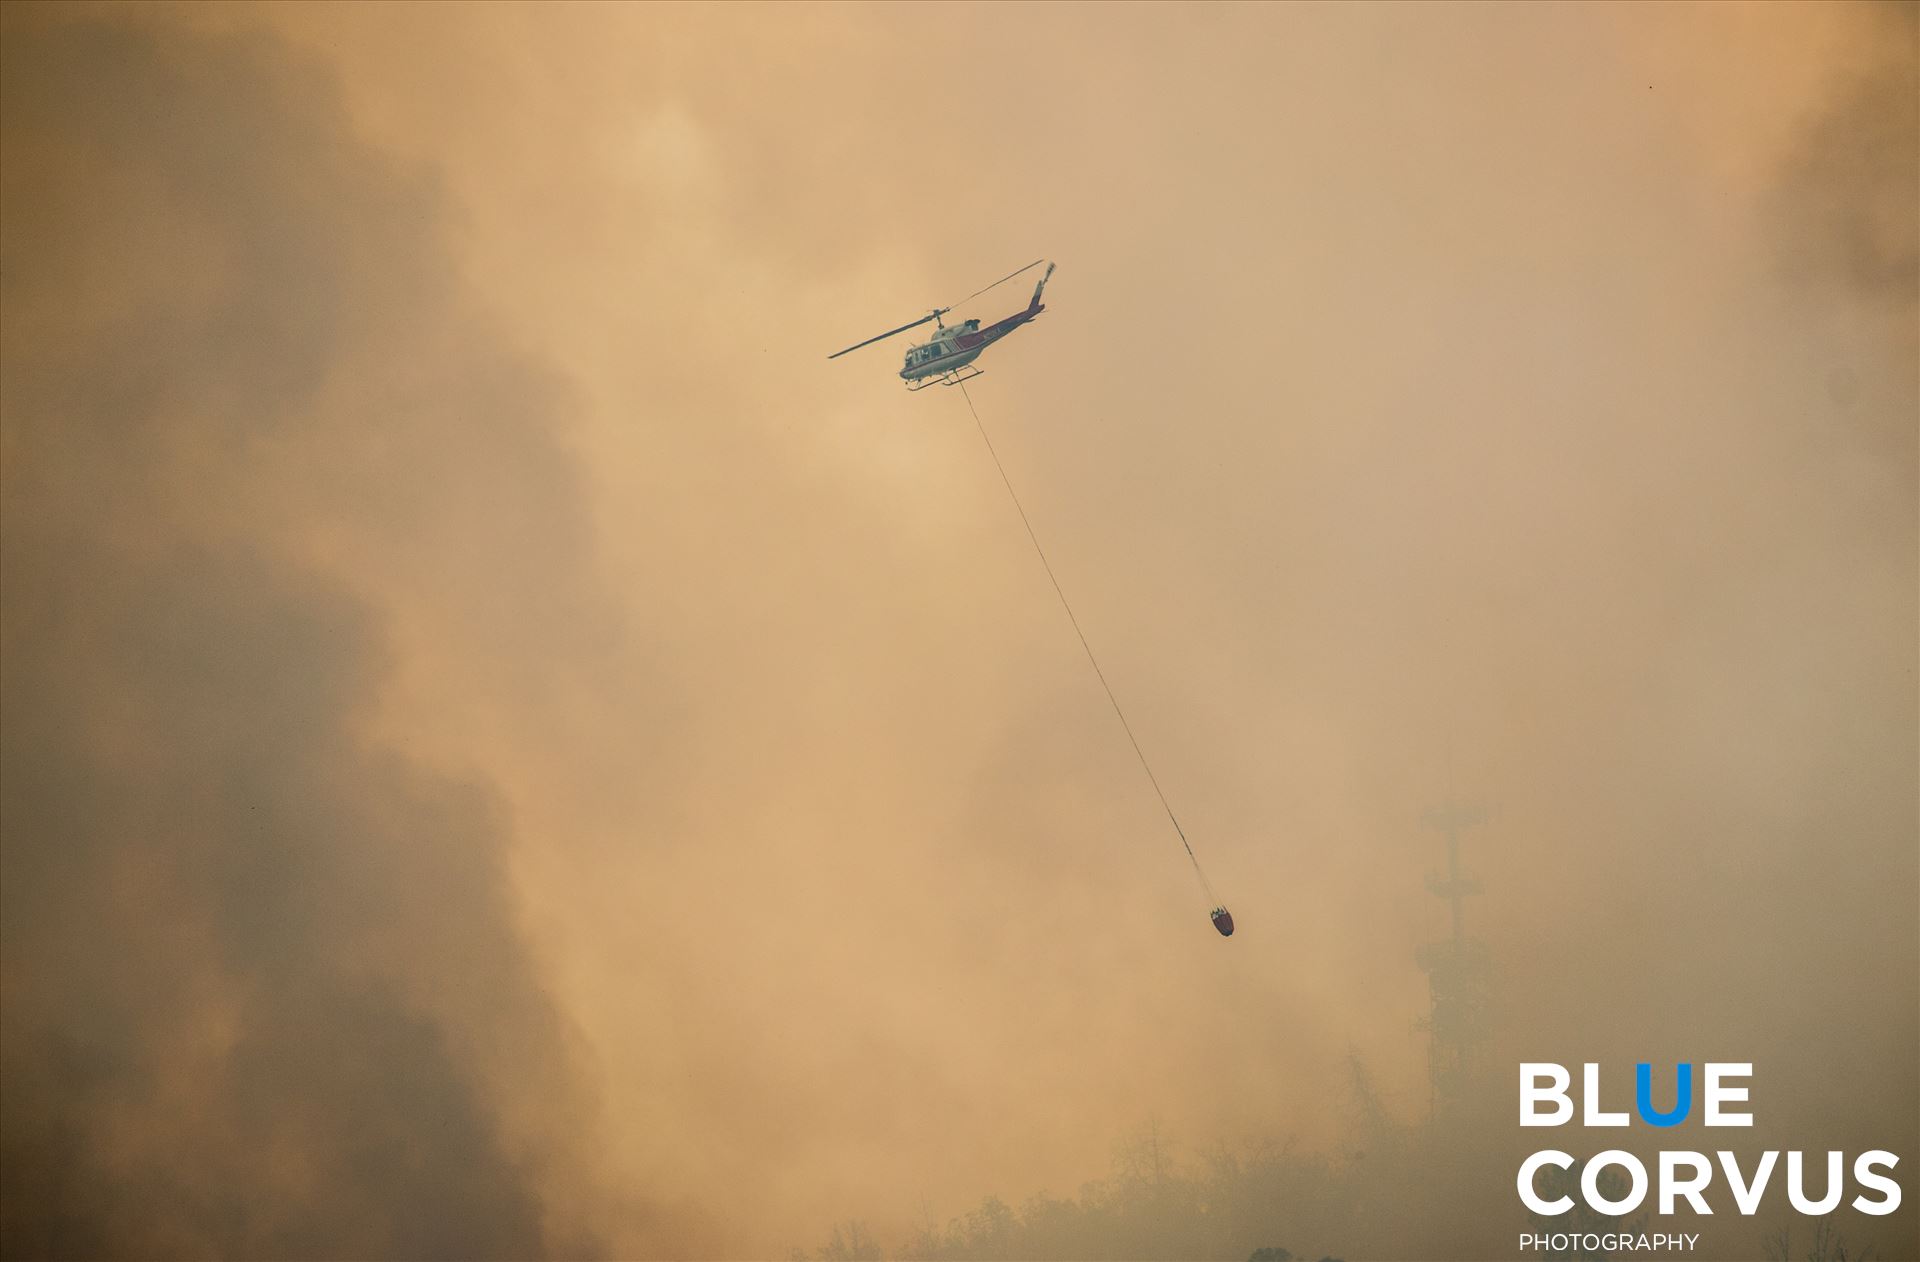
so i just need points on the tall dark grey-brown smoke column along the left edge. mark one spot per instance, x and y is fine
(266, 994)
